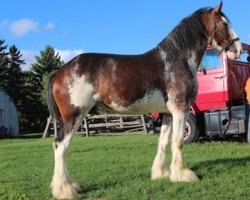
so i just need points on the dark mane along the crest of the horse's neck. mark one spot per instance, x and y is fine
(185, 34)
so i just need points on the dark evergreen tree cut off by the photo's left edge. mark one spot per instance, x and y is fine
(4, 60)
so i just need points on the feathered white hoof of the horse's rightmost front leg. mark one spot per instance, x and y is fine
(184, 175)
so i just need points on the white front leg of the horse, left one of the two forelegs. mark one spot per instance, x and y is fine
(158, 169)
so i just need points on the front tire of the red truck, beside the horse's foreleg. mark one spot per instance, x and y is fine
(190, 131)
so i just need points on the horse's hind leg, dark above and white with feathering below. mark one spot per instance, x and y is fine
(63, 186)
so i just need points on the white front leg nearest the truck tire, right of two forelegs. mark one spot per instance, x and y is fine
(179, 172)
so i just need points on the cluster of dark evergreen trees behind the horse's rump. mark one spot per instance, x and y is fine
(28, 89)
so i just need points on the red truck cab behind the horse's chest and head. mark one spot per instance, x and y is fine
(221, 80)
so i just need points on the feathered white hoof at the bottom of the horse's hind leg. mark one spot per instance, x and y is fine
(65, 190)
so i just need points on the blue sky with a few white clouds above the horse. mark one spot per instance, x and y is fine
(111, 26)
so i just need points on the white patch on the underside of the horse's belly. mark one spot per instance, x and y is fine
(151, 102)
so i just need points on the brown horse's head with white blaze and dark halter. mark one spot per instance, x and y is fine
(221, 34)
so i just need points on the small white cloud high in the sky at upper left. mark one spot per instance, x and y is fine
(23, 26)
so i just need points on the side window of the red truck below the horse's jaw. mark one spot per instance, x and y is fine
(210, 60)
